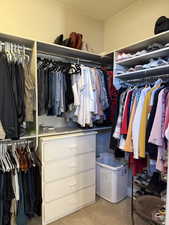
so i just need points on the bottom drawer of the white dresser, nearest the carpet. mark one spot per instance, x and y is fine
(68, 204)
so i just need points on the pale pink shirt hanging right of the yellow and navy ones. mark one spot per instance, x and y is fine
(156, 131)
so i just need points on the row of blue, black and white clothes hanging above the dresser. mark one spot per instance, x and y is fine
(80, 93)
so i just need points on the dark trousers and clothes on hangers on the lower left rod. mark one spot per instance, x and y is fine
(20, 184)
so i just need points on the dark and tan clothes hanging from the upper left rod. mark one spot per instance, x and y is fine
(17, 89)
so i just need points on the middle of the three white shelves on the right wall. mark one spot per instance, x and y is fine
(163, 52)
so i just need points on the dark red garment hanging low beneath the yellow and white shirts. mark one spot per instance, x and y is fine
(137, 165)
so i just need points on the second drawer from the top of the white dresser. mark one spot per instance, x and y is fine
(69, 167)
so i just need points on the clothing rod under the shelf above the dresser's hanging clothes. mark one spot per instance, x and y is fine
(47, 55)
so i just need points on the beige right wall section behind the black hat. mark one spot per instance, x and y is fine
(133, 24)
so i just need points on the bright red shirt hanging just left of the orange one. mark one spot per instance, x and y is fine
(125, 119)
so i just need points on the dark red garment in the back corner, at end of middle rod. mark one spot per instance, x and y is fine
(113, 94)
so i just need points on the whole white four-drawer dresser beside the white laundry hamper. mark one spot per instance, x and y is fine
(68, 174)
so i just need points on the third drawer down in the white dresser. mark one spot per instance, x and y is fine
(60, 188)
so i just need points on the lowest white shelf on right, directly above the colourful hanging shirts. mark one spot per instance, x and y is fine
(160, 70)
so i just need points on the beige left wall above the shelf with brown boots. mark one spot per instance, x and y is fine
(45, 19)
